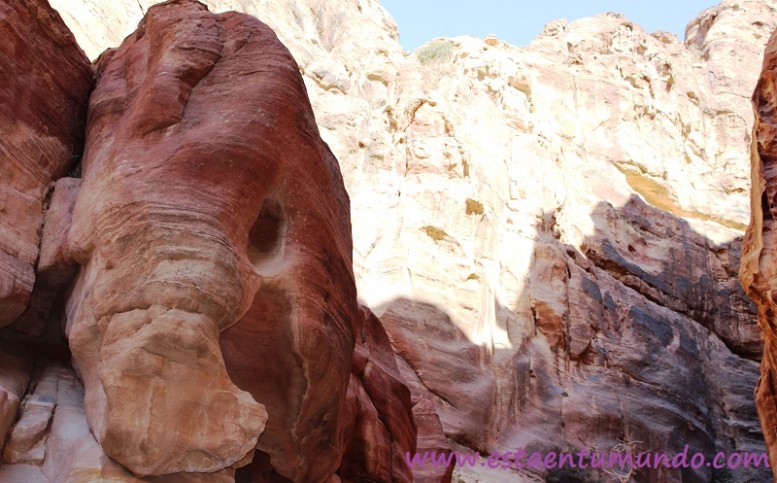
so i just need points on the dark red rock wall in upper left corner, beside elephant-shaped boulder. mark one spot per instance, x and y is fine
(43, 94)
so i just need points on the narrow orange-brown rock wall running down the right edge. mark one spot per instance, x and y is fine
(759, 261)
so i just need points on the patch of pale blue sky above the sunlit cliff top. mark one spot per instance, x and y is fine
(519, 21)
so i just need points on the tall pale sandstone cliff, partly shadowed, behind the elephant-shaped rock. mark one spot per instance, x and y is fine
(549, 234)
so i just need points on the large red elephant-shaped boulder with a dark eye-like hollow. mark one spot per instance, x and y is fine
(210, 204)
